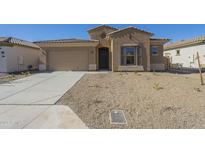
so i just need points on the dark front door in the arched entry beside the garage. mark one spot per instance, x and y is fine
(103, 58)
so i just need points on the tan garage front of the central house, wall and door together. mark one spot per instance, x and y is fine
(71, 58)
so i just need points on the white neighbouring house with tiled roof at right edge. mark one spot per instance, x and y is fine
(184, 53)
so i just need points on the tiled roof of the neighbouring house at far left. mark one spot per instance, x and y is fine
(16, 41)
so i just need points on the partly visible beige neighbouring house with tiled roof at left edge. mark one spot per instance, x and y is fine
(19, 55)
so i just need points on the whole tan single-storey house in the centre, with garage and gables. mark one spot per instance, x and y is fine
(128, 49)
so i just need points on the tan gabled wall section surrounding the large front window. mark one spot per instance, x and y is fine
(136, 38)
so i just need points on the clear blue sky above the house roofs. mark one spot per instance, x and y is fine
(37, 32)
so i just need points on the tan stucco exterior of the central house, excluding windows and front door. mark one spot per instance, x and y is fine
(85, 56)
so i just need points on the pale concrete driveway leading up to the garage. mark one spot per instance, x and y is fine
(30, 102)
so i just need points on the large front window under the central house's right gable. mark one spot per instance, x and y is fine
(128, 55)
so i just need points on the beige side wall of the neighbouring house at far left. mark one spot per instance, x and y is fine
(30, 57)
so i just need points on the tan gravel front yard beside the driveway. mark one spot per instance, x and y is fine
(149, 100)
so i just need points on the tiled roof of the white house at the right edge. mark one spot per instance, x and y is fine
(185, 43)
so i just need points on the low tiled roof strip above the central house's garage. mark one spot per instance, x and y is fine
(73, 40)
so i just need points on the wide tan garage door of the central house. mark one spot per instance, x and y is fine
(70, 59)
